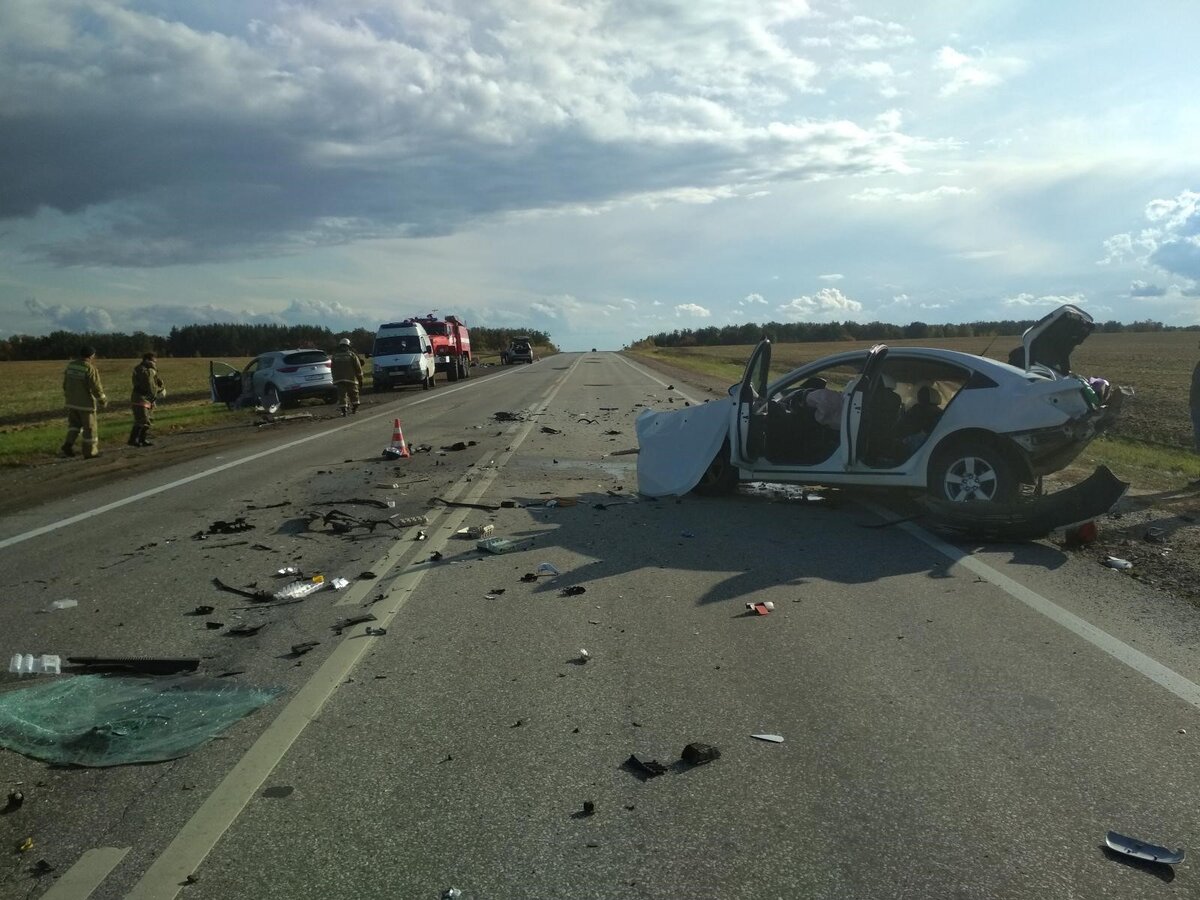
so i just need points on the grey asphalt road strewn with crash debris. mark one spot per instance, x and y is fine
(957, 722)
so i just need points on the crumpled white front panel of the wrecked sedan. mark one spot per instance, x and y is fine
(676, 447)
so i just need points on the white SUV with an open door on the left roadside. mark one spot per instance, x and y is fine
(274, 380)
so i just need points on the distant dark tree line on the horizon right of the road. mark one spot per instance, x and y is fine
(826, 332)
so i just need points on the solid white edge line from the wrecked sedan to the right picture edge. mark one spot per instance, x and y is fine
(1183, 688)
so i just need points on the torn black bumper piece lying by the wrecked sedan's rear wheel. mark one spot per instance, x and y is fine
(1028, 520)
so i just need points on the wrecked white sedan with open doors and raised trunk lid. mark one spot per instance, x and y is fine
(959, 427)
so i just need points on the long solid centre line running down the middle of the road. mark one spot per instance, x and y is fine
(197, 838)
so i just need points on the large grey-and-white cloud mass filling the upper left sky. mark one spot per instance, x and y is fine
(211, 136)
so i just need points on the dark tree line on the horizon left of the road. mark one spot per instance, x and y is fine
(226, 340)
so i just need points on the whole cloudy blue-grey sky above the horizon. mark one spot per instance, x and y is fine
(602, 170)
